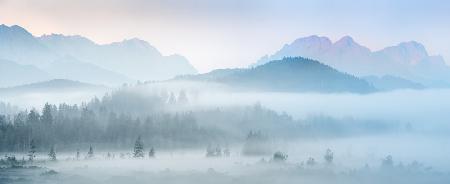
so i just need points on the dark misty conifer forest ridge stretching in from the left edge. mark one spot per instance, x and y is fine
(116, 120)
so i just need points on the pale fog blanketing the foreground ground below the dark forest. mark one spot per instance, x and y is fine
(355, 161)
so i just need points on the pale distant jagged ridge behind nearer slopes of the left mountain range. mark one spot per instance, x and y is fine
(134, 58)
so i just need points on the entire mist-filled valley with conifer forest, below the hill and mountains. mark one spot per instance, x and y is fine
(210, 133)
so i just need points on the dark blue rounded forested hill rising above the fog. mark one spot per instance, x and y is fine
(291, 74)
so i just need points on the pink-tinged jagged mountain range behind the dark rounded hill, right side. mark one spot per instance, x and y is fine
(408, 60)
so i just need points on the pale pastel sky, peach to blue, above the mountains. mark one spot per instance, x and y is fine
(232, 33)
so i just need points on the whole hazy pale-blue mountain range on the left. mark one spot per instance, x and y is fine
(78, 58)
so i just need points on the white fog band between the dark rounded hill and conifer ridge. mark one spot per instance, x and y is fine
(419, 106)
